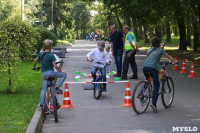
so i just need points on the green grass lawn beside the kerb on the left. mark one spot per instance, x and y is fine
(17, 109)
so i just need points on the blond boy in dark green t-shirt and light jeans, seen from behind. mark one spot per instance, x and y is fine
(47, 63)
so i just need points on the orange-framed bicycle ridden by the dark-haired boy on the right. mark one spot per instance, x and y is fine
(143, 91)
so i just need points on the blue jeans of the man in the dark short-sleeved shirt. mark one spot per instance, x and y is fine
(118, 53)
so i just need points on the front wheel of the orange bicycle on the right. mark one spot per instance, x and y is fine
(167, 94)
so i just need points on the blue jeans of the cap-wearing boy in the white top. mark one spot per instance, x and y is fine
(103, 73)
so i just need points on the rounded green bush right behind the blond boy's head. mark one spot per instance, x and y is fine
(45, 34)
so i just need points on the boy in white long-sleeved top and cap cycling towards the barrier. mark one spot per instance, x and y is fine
(99, 61)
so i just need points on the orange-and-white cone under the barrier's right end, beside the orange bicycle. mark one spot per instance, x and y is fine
(127, 98)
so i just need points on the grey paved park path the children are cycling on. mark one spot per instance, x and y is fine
(106, 116)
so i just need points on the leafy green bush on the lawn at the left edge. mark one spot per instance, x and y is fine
(17, 41)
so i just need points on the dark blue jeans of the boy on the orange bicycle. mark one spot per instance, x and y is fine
(156, 83)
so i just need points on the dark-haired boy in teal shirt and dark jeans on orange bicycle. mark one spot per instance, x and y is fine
(151, 65)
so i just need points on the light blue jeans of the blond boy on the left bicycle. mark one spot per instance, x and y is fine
(53, 74)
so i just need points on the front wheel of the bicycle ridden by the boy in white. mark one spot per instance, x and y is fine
(98, 89)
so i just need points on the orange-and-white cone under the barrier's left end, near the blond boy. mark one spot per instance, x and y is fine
(66, 100)
